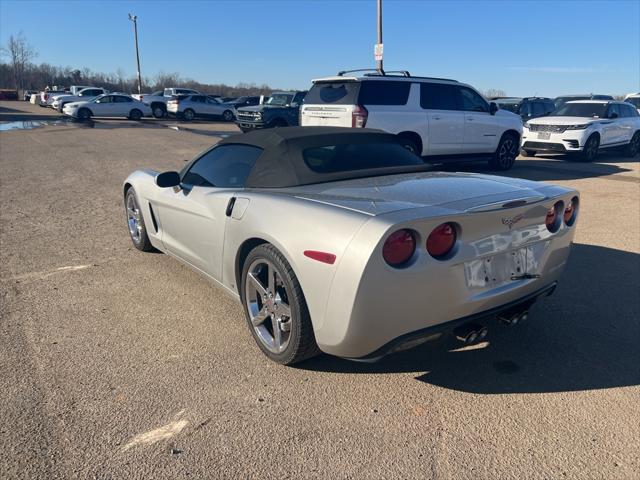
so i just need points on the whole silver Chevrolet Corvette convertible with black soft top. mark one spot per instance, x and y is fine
(342, 241)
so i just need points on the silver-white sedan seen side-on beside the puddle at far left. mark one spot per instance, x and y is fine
(109, 105)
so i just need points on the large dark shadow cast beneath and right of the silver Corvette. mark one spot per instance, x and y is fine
(583, 337)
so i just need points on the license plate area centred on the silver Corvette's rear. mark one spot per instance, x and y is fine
(497, 269)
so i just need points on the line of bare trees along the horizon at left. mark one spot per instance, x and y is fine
(21, 73)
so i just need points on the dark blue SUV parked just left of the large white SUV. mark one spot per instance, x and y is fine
(281, 110)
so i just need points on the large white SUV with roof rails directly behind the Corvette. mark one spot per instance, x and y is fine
(437, 118)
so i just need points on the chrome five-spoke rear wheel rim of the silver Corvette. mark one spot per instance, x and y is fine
(267, 303)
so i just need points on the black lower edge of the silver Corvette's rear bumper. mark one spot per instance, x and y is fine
(437, 331)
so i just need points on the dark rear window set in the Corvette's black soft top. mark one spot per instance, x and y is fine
(358, 156)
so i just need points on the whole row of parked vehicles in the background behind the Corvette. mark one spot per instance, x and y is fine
(439, 119)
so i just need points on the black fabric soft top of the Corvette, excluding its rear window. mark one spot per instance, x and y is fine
(282, 164)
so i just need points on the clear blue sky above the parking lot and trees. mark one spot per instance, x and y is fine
(522, 47)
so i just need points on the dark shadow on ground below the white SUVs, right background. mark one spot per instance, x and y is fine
(551, 168)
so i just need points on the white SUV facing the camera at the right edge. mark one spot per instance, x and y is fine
(583, 128)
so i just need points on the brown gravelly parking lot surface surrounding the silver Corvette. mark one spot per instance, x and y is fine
(118, 364)
